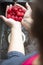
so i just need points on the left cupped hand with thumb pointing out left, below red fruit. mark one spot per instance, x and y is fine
(10, 22)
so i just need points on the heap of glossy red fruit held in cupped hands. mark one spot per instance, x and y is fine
(16, 13)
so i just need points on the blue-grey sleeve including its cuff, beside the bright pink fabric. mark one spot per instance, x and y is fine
(16, 58)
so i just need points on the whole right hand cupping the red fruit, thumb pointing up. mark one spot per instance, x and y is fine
(27, 20)
